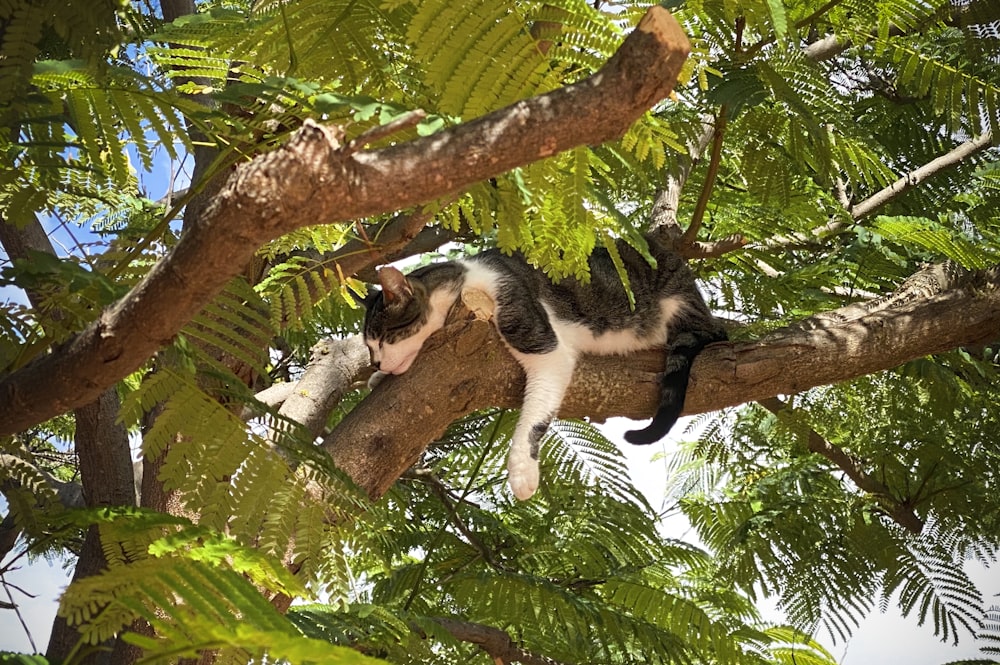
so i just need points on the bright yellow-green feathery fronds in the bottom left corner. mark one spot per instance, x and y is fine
(201, 590)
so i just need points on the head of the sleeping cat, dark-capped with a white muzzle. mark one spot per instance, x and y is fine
(395, 321)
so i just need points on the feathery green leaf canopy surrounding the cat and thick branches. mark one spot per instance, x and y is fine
(583, 573)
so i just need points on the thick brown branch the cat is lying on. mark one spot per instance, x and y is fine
(466, 367)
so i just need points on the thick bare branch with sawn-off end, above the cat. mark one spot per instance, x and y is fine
(314, 179)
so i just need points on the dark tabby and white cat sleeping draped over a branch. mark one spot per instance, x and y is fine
(547, 326)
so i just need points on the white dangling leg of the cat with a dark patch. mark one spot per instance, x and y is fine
(547, 377)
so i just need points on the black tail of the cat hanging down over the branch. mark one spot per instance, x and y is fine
(673, 386)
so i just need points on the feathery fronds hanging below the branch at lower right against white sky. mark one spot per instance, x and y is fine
(826, 550)
